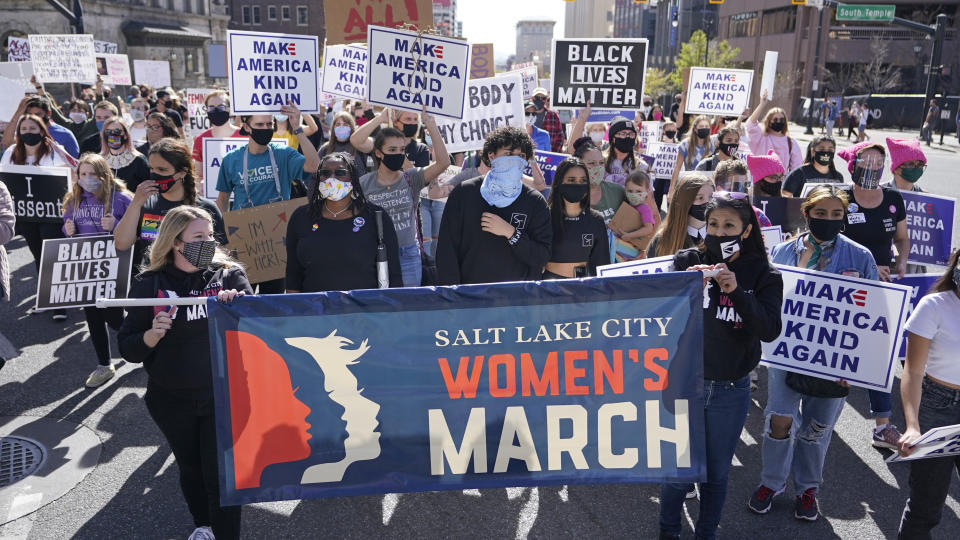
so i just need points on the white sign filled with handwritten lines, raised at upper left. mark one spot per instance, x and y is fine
(65, 58)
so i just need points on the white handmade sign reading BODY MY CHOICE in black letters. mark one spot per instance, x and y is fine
(491, 103)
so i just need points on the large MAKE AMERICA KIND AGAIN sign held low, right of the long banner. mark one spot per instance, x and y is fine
(839, 327)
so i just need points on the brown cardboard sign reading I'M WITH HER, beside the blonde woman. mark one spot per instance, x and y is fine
(257, 238)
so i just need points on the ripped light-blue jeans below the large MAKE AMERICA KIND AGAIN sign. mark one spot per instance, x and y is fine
(805, 448)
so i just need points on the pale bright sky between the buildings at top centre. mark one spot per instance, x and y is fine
(495, 21)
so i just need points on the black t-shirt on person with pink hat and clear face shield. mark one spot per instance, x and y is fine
(873, 228)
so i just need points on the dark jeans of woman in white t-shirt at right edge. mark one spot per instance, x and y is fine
(930, 478)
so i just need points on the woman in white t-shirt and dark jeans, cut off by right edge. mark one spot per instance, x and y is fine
(930, 391)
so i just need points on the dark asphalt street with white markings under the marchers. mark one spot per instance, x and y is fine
(134, 493)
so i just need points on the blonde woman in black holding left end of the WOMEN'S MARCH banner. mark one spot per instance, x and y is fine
(175, 350)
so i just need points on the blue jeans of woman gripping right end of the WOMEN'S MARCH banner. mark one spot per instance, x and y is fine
(725, 410)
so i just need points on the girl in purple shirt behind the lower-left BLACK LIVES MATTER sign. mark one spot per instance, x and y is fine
(93, 206)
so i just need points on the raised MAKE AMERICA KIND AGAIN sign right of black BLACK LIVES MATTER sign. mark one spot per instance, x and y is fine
(718, 91)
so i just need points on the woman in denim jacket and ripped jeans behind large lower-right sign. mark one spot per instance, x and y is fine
(802, 410)
